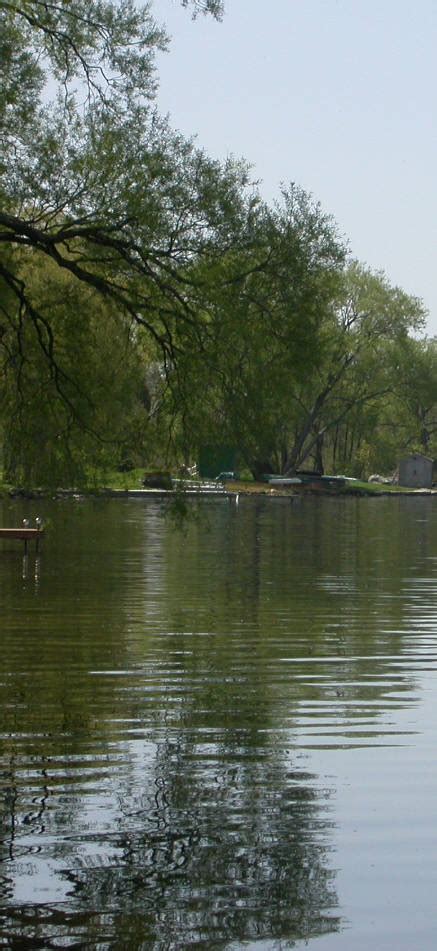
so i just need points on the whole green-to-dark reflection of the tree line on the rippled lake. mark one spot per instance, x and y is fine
(156, 797)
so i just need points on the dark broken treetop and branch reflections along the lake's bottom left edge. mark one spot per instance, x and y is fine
(209, 844)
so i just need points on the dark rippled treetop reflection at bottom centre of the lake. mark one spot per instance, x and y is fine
(195, 870)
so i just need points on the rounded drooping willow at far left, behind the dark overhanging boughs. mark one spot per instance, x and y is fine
(101, 416)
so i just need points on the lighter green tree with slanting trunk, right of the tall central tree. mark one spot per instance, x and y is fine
(358, 359)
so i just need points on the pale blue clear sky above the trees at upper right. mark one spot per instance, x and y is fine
(338, 96)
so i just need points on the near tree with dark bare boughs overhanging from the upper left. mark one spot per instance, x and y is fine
(97, 186)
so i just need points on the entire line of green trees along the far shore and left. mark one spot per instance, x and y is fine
(152, 302)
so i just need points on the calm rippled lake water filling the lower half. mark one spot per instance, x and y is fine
(221, 737)
